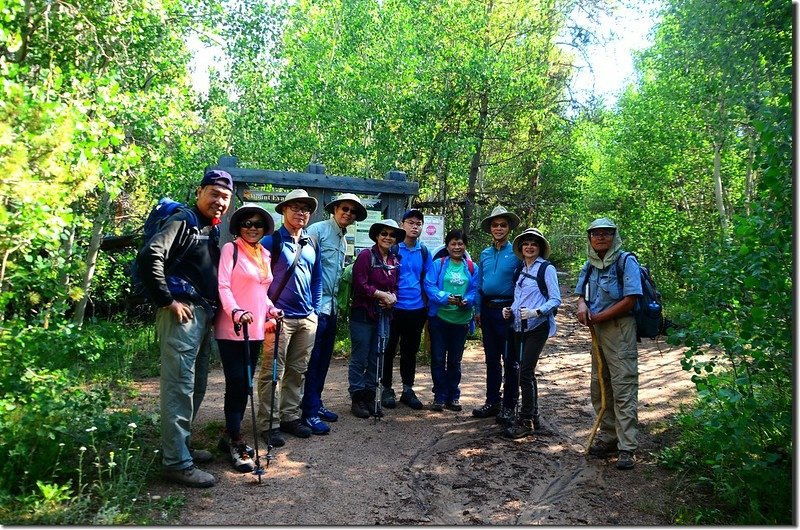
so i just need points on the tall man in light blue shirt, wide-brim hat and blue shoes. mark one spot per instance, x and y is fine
(331, 233)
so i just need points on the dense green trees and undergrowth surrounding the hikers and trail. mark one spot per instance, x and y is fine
(469, 99)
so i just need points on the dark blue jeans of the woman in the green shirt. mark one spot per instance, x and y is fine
(447, 349)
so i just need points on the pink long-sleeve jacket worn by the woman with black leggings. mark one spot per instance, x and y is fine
(241, 287)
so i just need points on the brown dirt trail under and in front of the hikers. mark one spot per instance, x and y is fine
(448, 468)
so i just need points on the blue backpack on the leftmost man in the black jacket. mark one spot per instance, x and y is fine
(158, 217)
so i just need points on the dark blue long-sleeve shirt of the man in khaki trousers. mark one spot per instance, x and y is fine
(303, 291)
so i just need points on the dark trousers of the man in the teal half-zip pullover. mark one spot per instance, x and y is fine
(495, 331)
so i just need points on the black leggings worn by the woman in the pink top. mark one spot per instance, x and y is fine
(238, 381)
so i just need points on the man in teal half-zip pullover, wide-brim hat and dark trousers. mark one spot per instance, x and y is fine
(498, 263)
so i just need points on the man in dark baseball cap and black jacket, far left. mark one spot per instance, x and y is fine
(178, 268)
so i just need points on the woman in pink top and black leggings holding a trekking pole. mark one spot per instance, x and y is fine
(244, 277)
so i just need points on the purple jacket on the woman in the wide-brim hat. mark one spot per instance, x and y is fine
(368, 279)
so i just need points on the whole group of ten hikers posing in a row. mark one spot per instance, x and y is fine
(272, 293)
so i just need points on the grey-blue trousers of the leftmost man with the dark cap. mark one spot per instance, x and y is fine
(185, 352)
